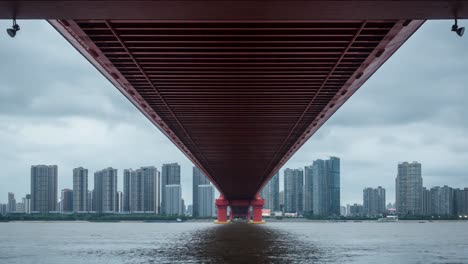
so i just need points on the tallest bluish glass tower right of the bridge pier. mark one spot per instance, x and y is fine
(326, 187)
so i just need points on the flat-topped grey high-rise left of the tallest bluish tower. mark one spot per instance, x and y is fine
(293, 190)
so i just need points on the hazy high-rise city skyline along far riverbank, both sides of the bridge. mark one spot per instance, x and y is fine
(317, 193)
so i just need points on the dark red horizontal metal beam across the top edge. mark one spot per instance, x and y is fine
(233, 9)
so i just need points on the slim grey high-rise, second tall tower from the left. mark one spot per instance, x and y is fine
(80, 189)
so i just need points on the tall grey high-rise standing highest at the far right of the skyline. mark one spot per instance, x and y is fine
(409, 189)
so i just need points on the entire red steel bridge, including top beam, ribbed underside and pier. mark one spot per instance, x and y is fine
(238, 86)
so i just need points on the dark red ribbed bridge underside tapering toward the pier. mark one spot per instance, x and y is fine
(239, 98)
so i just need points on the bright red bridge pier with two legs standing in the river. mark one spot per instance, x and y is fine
(240, 208)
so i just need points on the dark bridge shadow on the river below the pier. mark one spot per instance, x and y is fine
(244, 243)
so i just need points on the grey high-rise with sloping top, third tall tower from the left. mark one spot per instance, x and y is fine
(105, 190)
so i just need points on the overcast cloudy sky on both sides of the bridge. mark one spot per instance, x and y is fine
(55, 108)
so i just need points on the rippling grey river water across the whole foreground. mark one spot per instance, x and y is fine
(195, 242)
